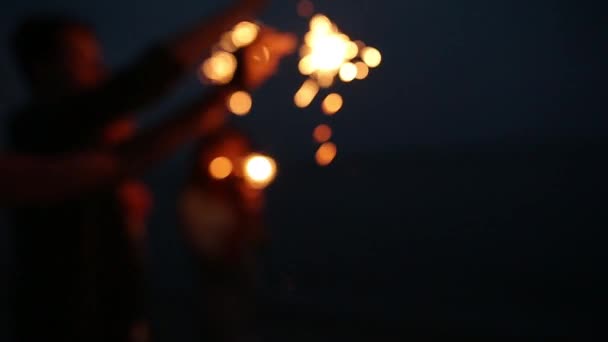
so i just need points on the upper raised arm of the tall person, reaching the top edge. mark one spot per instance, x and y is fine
(147, 79)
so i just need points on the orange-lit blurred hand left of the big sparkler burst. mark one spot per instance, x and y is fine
(261, 59)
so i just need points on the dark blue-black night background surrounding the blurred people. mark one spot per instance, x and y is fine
(469, 193)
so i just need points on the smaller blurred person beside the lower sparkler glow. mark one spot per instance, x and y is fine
(221, 217)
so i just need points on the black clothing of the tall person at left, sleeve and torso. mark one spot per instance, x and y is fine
(77, 273)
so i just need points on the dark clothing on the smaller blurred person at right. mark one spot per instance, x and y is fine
(225, 237)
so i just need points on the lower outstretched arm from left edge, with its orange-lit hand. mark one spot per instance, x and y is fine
(39, 180)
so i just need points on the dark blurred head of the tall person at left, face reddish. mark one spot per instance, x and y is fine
(58, 54)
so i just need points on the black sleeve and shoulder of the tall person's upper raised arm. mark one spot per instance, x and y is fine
(75, 122)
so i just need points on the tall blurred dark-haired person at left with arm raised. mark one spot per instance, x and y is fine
(78, 275)
